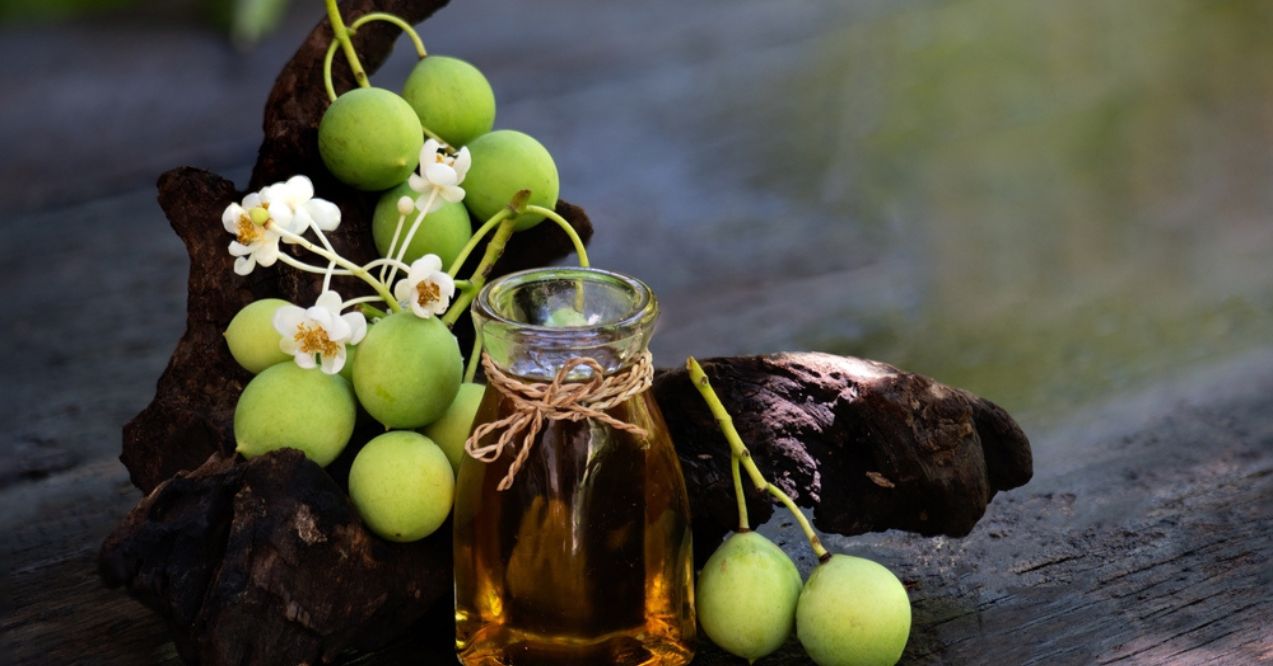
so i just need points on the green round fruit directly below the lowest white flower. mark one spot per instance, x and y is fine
(290, 407)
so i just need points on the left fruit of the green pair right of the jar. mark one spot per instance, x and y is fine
(747, 597)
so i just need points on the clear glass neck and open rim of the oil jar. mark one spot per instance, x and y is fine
(533, 323)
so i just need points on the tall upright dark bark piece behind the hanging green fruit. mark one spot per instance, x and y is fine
(192, 414)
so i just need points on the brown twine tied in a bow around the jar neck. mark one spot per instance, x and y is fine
(534, 403)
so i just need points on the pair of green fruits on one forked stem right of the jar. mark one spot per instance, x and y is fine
(852, 612)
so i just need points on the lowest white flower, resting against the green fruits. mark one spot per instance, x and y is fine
(320, 330)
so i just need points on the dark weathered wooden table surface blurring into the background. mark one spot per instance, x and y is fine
(1146, 534)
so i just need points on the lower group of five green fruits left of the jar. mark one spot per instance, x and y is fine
(407, 374)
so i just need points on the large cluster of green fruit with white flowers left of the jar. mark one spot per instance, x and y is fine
(408, 371)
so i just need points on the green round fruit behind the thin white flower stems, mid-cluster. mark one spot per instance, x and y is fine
(445, 232)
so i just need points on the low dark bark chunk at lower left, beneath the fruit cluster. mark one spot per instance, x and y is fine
(268, 562)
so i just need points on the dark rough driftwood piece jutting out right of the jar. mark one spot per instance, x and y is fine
(868, 446)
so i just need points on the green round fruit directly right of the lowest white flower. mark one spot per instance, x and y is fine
(408, 371)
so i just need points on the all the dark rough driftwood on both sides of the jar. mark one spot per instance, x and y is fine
(265, 562)
